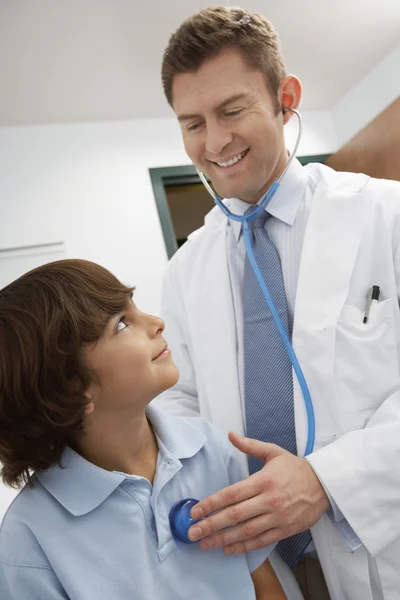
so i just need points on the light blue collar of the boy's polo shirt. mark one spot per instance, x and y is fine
(80, 486)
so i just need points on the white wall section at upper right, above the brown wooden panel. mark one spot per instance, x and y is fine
(368, 97)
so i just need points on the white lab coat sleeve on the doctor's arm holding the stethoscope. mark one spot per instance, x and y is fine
(360, 471)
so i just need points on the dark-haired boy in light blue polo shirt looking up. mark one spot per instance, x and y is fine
(79, 365)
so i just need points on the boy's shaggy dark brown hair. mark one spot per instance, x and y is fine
(46, 318)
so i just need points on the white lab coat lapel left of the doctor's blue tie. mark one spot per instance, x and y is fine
(217, 352)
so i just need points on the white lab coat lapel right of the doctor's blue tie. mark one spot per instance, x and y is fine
(328, 256)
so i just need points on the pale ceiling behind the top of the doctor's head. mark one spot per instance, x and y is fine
(95, 60)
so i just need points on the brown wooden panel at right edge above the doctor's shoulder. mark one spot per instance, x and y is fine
(375, 150)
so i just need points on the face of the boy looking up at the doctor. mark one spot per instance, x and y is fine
(132, 364)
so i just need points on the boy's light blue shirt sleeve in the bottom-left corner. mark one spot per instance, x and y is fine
(29, 583)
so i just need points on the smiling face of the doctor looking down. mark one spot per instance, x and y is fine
(230, 126)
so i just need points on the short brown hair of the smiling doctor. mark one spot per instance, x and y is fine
(211, 30)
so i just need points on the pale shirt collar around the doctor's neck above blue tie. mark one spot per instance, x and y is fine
(284, 204)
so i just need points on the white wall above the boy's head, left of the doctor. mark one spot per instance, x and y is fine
(88, 185)
